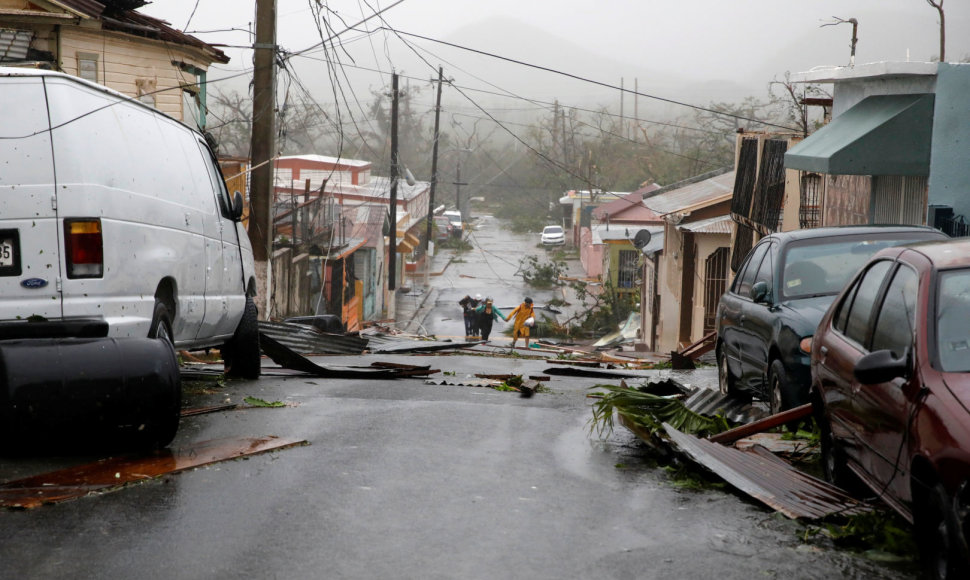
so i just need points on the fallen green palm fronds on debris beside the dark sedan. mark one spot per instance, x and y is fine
(650, 412)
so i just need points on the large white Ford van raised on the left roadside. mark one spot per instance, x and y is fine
(112, 213)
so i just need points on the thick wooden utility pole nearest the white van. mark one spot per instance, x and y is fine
(262, 145)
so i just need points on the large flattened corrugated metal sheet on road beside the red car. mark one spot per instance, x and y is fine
(769, 479)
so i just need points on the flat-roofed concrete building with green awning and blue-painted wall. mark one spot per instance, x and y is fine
(896, 148)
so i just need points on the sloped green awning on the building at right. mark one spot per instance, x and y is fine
(881, 135)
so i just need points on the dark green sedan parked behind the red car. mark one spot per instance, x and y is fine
(766, 319)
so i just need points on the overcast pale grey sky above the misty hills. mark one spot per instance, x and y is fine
(744, 41)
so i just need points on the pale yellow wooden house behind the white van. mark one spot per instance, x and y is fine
(108, 42)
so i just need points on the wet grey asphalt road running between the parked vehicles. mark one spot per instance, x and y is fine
(409, 480)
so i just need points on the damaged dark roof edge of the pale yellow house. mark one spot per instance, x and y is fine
(119, 15)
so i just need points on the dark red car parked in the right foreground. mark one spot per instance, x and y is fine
(890, 367)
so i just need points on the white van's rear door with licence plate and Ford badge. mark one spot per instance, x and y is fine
(29, 236)
